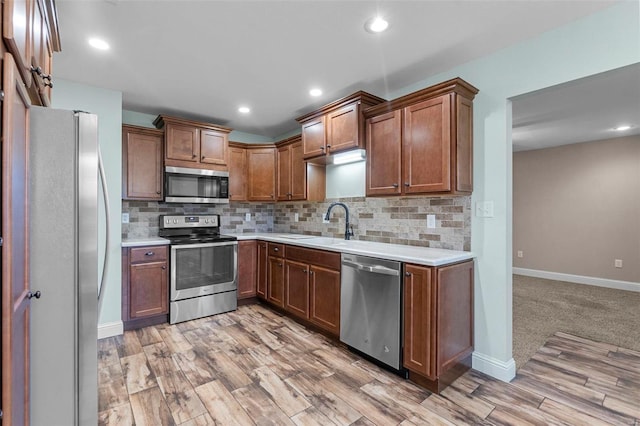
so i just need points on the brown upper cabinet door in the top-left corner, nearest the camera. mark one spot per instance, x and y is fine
(16, 31)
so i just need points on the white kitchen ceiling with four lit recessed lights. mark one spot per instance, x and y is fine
(203, 59)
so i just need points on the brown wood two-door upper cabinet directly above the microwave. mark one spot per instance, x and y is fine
(194, 144)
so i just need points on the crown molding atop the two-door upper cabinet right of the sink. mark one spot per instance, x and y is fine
(455, 85)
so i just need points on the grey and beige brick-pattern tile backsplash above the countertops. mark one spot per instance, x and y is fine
(400, 220)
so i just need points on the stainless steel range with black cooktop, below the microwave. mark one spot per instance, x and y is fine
(203, 267)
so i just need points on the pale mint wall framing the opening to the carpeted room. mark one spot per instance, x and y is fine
(603, 41)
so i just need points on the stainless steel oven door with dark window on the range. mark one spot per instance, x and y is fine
(203, 269)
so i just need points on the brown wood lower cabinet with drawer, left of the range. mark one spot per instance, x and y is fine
(145, 286)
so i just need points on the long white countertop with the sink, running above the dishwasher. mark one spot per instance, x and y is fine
(410, 254)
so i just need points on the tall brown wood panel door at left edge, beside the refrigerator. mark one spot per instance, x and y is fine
(15, 248)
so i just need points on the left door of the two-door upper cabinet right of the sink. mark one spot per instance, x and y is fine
(384, 147)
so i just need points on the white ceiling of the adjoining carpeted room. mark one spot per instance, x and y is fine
(583, 110)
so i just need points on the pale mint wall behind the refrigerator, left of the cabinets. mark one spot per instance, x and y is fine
(107, 104)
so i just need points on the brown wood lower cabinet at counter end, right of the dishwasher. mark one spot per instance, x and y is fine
(438, 323)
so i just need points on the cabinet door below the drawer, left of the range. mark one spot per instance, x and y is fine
(148, 292)
